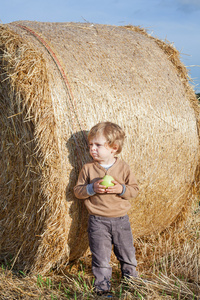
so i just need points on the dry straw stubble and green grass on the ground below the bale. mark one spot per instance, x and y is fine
(168, 264)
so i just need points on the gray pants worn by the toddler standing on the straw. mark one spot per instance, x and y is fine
(104, 232)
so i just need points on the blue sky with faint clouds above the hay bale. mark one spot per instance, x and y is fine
(177, 21)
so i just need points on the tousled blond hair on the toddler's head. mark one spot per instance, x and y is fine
(112, 132)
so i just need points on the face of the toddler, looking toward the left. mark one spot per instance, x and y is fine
(100, 151)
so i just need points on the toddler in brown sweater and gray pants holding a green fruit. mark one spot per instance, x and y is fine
(108, 206)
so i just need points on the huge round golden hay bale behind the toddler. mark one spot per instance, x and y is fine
(57, 81)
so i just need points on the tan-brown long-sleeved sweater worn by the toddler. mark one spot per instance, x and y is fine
(107, 205)
